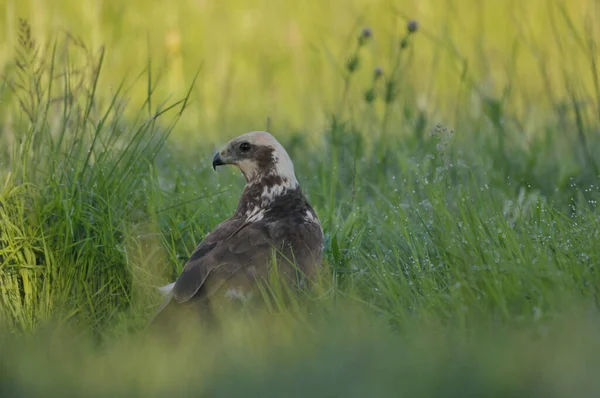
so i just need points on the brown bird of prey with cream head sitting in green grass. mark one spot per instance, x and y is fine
(273, 220)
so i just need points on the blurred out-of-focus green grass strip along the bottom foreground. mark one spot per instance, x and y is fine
(337, 356)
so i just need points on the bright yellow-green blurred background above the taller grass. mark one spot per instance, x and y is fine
(275, 59)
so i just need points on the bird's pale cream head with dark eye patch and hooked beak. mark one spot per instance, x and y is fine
(259, 156)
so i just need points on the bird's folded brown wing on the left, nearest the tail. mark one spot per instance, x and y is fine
(232, 245)
